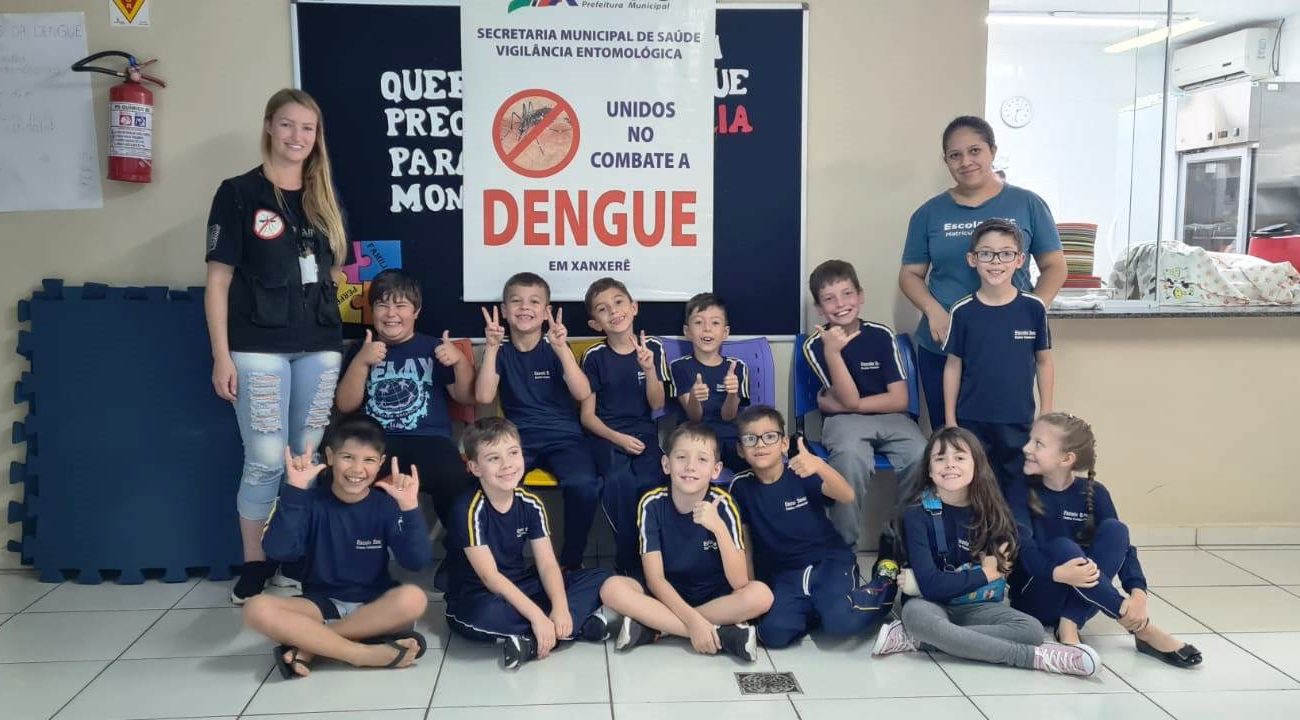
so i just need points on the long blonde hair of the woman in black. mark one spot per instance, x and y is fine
(319, 199)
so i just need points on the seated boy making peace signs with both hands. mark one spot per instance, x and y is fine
(540, 385)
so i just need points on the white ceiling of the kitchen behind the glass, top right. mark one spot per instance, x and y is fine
(1227, 15)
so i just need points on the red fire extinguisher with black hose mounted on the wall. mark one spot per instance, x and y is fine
(131, 118)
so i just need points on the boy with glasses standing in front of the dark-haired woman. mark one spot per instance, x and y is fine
(999, 346)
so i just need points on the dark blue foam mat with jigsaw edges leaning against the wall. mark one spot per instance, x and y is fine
(133, 462)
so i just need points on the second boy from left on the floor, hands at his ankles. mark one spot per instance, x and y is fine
(495, 595)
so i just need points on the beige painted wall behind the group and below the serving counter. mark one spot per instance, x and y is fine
(1184, 407)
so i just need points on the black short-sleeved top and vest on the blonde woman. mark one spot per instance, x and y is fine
(272, 306)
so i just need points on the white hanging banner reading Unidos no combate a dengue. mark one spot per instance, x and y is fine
(590, 145)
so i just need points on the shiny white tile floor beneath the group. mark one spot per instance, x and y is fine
(180, 652)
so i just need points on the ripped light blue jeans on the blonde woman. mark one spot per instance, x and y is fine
(283, 400)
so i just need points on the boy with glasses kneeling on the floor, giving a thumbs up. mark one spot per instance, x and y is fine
(798, 553)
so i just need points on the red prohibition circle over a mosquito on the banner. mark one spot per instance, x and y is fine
(536, 133)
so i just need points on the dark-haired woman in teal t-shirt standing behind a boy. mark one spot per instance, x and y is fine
(935, 272)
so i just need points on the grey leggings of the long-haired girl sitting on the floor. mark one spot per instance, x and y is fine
(987, 632)
